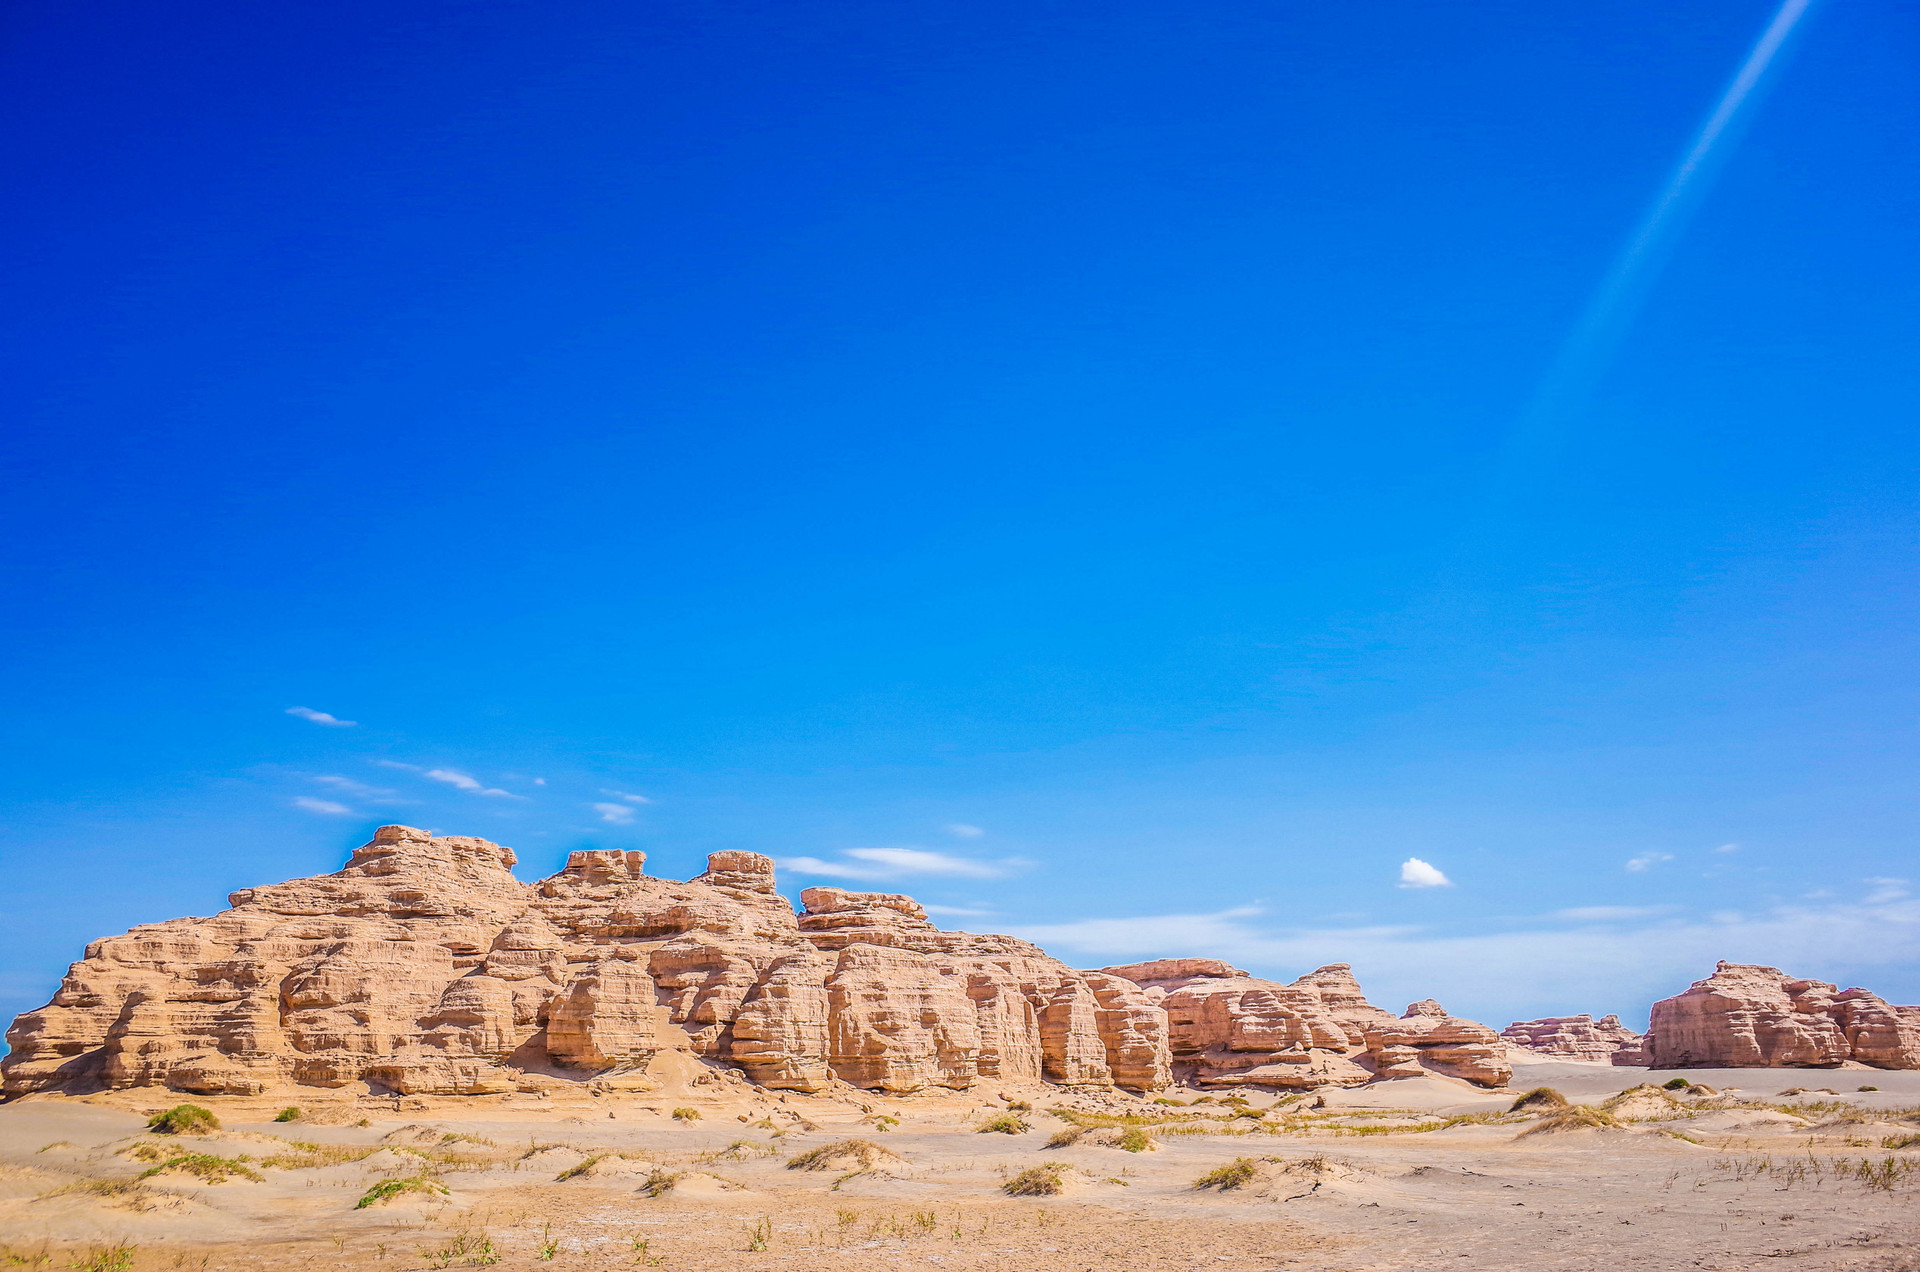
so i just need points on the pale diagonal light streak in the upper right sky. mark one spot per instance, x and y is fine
(1585, 356)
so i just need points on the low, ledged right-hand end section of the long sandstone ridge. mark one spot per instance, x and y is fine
(1230, 1029)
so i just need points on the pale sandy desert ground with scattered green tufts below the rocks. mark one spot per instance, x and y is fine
(1740, 1171)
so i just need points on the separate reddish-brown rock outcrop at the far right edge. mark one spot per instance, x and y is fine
(1746, 1017)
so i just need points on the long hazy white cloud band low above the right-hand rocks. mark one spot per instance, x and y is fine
(1512, 975)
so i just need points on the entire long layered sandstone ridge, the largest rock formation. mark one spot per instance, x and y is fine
(427, 967)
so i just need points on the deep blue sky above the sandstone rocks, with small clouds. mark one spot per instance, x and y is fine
(1072, 464)
